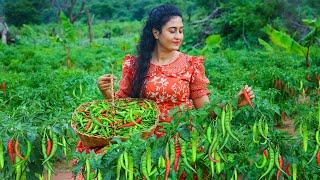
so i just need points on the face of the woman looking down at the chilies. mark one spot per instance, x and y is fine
(172, 34)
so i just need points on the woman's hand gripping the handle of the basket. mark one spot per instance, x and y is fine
(105, 84)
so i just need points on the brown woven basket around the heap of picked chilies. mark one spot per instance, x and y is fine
(93, 141)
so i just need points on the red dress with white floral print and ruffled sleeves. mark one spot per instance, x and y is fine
(170, 85)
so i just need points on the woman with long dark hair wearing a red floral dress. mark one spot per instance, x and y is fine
(161, 72)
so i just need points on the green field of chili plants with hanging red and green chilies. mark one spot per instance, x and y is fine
(45, 77)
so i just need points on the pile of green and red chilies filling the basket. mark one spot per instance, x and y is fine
(125, 117)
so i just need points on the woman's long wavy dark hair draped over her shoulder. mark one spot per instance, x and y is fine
(158, 17)
